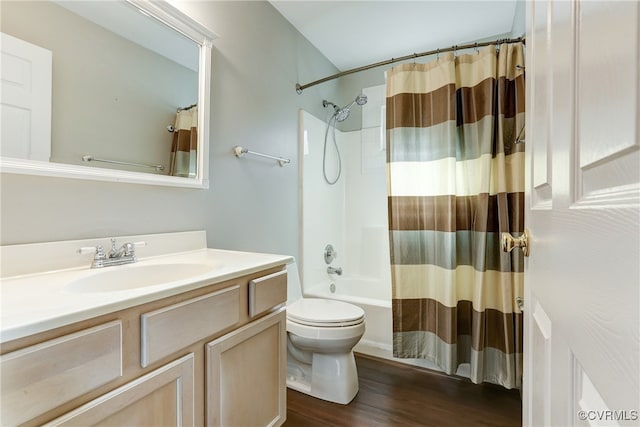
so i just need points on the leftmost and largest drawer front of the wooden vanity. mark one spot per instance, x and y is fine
(40, 378)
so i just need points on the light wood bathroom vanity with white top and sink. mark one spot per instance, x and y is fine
(184, 336)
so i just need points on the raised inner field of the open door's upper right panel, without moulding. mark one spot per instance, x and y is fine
(608, 72)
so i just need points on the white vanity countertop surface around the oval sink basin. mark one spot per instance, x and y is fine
(34, 303)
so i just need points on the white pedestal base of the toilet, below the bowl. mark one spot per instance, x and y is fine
(332, 377)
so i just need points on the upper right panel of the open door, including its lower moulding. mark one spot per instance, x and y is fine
(607, 142)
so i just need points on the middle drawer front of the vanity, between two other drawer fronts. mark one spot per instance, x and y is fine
(177, 326)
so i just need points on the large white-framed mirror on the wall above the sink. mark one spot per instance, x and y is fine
(129, 92)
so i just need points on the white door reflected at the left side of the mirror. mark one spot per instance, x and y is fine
(25, 100)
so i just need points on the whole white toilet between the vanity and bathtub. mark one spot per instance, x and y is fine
(321, 334)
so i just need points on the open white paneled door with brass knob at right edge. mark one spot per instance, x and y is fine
(582, 299)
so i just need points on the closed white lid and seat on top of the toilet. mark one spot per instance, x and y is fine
(324, 312)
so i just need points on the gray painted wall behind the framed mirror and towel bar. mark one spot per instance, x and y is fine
(252, 203)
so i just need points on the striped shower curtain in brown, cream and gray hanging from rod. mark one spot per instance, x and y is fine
(455, 181)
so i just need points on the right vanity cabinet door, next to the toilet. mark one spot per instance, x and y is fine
(246, 384)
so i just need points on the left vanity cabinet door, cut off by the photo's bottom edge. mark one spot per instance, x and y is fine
(163, 397)
